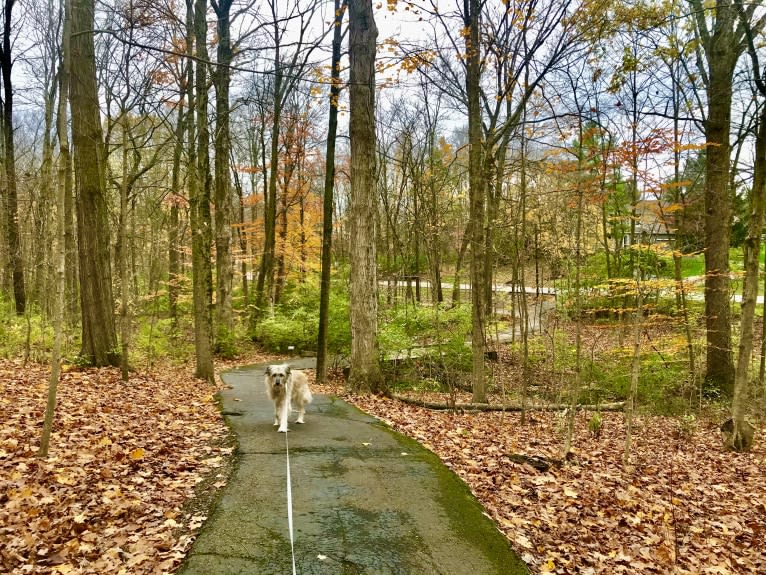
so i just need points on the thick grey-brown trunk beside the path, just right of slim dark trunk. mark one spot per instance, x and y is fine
(365, 372)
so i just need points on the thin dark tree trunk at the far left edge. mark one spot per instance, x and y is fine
(9, 161)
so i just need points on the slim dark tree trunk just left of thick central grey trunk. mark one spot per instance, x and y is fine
(327, 205)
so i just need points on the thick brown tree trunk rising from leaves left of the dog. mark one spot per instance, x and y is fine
(99, 336)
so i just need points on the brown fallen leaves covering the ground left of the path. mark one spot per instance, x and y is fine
(123, 461)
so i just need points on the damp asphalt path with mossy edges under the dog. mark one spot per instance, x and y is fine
(366, 500)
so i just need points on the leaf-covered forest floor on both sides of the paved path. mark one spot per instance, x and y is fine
(133, 468)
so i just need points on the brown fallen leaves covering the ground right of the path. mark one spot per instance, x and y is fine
(686, 507)
